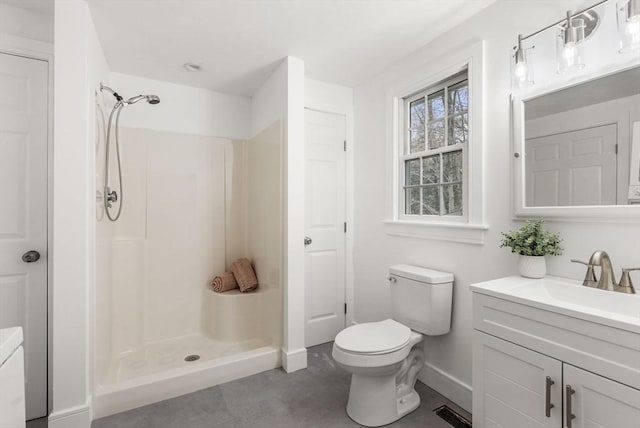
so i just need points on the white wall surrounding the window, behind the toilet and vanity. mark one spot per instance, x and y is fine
(448, 358)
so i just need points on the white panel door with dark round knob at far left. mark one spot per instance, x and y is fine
(23, 215)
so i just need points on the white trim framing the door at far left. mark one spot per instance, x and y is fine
(42, 51)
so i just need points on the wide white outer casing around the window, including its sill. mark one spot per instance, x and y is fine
(425, 70)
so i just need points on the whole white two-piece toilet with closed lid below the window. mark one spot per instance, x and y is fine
(383, 357)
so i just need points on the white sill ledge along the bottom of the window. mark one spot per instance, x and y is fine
(451, 232)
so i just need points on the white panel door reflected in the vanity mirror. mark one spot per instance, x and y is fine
(572, 168)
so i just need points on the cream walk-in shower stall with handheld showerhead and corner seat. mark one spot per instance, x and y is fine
(193, 204)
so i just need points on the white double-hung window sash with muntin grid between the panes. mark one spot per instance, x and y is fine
(406, 155)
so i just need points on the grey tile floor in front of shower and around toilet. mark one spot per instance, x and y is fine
(311, 398)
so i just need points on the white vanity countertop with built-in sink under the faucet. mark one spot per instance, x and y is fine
(568, 297)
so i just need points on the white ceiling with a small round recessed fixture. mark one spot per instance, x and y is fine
(240, 42)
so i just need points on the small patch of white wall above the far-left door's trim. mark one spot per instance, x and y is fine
(20, 22)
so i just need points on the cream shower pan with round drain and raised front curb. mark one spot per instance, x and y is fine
(158, 371)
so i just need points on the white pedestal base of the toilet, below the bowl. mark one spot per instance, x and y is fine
(380, 400)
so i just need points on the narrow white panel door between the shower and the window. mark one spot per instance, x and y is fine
(325, 226)
